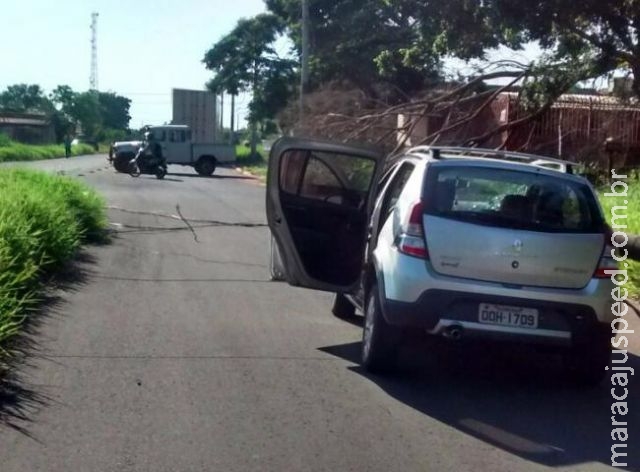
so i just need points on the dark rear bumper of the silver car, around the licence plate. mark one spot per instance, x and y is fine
(443, 312)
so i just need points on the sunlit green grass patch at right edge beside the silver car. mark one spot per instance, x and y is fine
(633, 222)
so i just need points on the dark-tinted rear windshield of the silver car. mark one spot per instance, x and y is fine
(512, 199)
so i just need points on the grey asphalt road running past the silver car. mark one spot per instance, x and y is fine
(170, 350)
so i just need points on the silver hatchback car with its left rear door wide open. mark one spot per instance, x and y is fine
(458, 242)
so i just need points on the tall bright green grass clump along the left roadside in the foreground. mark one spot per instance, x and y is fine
(43, 221)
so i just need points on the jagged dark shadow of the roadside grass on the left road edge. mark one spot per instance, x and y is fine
(19, 400)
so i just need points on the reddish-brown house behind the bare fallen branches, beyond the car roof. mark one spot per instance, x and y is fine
(587, 128)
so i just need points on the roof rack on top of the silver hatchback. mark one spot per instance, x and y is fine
(442, 152)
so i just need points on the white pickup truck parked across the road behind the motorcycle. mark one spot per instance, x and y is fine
(177, 148)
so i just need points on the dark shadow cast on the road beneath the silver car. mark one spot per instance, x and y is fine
(516, 401)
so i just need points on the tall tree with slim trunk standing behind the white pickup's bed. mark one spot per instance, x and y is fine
(245, 59)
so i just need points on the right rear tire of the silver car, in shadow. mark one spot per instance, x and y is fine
(586, 362)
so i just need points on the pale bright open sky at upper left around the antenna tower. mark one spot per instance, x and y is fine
(145, 47)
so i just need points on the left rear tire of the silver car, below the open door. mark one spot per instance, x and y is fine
(380, 340)
